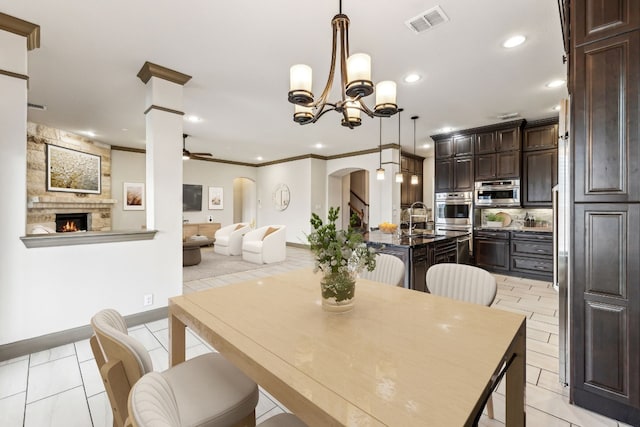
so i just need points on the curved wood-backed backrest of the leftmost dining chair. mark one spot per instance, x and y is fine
(122, 362)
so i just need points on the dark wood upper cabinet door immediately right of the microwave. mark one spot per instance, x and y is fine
(540, 174)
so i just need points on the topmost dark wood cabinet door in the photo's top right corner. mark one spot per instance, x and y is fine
(593, 20)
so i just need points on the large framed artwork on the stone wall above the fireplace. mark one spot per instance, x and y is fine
(73, 171)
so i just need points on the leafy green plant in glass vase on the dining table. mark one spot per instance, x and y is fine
(340, 255)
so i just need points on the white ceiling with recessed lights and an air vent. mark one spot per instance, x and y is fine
(239, 53)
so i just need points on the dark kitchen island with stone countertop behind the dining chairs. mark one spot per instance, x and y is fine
(418, 252)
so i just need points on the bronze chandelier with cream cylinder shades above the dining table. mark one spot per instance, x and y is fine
(356, 84)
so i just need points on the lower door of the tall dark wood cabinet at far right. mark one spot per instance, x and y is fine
(605, 291)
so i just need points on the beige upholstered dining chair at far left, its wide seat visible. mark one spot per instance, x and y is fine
(211, 390)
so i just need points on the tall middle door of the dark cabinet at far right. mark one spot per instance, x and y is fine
(607, 148)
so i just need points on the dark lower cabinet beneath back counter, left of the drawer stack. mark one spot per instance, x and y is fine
(491, 250)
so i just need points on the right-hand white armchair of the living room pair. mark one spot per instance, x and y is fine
(265, 245)
